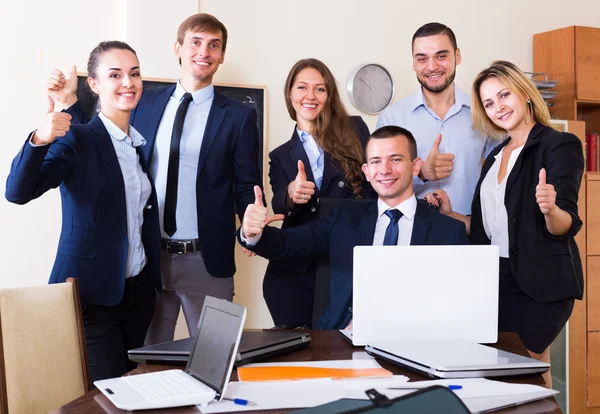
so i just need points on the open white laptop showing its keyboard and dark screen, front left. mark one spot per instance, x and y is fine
(206, 374)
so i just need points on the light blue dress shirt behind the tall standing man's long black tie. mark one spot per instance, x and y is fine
(189, 154)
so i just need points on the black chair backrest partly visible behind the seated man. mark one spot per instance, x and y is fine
(322, 278)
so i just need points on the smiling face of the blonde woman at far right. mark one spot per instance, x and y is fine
(505, 108)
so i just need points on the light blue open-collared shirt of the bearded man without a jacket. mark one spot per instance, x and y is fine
(458, 138)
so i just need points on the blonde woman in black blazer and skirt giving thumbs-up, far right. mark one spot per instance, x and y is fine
(526, 203)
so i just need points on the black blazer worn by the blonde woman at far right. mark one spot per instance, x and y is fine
(545, 267)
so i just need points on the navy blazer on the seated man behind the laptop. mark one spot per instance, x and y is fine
(336, 236)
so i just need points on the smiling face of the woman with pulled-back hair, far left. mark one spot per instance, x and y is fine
(118, 82)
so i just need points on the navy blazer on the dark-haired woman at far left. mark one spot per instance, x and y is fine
(93, 241)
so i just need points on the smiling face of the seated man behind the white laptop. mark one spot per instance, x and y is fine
(390, 170)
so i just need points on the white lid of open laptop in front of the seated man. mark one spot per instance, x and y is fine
(425, 292)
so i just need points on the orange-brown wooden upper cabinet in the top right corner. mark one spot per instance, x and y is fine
(571, 56)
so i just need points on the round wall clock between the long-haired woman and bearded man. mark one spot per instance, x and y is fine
(371, 88)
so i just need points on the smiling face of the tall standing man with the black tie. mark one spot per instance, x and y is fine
(201, 54)
